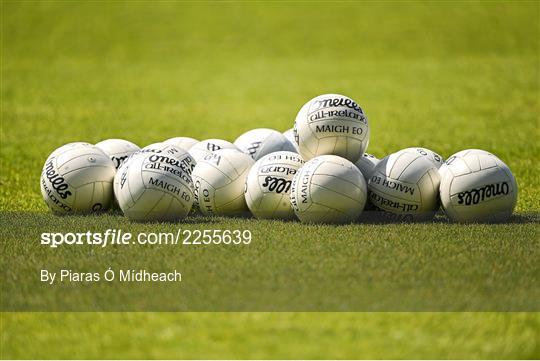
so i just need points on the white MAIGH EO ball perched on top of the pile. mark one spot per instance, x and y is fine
(331, 124)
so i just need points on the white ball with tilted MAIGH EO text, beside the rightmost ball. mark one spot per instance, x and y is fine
(406, 185)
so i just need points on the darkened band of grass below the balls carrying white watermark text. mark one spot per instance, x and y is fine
(75, 265)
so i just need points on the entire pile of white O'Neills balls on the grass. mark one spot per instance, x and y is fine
(317, 172)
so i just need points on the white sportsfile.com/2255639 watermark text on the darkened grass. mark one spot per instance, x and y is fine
(119, 237)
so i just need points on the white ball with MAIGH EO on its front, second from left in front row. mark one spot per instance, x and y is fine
(155, 187)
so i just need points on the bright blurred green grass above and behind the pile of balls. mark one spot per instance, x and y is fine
(447, 76)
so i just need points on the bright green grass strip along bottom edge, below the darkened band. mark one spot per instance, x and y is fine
(271, 335)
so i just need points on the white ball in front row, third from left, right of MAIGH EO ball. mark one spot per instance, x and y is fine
(219, 180)
